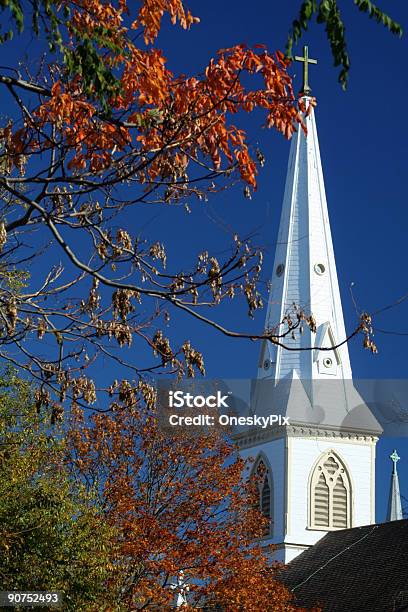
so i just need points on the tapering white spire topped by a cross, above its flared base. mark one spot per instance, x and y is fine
(304, 272)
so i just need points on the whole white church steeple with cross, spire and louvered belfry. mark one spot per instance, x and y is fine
(320, 468)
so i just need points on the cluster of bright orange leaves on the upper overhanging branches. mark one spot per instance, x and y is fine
(166, 117)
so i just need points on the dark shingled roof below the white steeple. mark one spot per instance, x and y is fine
(364, 569)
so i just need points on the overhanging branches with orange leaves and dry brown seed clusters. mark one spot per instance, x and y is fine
(101, 128)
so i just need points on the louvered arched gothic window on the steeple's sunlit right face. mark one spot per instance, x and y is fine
(330, 494)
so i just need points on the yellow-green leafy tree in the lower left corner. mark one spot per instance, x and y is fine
(48, 521)
